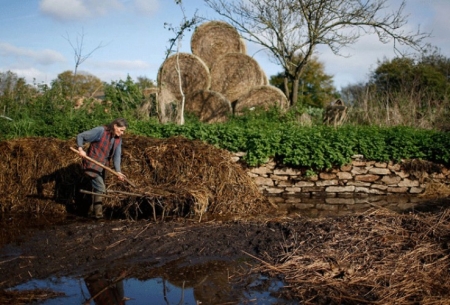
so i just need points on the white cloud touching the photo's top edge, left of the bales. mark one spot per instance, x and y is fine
(71, 10)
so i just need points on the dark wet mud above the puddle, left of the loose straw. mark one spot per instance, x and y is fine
(75, 246)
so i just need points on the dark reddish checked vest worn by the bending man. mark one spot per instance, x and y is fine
(100, 152)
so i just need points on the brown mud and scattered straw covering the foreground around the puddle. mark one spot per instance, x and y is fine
(37, 248)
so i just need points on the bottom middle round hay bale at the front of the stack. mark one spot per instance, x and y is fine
(208, 106)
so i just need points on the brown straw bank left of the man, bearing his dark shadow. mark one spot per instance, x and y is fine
(37, 175)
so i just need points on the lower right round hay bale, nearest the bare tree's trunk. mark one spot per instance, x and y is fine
(261, 96)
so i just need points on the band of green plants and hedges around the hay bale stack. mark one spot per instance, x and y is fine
(384, 123)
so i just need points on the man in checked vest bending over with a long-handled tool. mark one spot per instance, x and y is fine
(105, 143)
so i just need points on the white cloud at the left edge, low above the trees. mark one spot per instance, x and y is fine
(44, 57)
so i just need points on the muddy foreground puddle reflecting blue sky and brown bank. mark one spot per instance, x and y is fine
(212, 282)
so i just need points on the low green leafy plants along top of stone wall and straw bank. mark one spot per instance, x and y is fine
(261, 136)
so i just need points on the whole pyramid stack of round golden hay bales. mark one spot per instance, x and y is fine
(217, 80)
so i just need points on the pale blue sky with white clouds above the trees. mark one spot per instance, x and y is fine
(128, 37)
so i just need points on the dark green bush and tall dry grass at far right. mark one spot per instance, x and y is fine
(410, 91)
